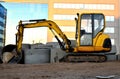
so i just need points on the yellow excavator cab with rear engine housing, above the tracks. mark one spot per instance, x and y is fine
(90, 34)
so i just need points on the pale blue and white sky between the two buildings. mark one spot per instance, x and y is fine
(25, 11)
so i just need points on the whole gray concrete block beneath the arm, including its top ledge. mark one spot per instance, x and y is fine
(37, 53)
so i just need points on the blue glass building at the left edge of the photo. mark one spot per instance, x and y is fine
(3, 15)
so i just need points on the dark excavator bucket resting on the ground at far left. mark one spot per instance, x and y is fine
(9, 54)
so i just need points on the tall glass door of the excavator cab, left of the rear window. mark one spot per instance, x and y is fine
(86, 30)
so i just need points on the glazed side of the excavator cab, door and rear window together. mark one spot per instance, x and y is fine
(91, 25)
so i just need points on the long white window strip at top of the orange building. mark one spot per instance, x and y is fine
(84, 6)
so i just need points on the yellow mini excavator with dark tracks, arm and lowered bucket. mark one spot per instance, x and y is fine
(90, 40)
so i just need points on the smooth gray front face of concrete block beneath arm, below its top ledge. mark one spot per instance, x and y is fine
(37, 56)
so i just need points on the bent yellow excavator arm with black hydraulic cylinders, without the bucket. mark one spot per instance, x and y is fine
(42, 23)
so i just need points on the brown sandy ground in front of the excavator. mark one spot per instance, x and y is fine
(81, 70)
